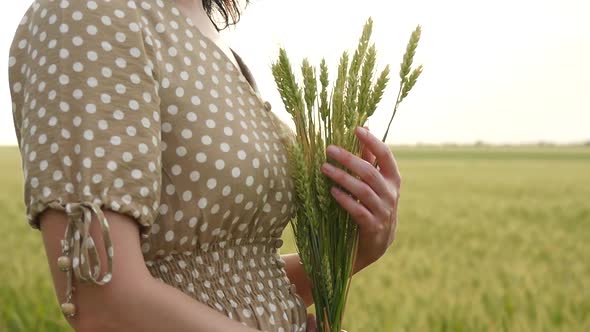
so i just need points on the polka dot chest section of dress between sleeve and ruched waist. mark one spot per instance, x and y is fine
(222, 156)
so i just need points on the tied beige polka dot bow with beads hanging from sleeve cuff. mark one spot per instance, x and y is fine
(78, 249)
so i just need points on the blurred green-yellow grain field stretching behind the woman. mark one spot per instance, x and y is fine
(489, 239)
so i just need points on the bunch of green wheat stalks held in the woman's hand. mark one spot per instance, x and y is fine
(325, 235)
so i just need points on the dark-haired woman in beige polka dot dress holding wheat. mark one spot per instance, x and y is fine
(144, 141)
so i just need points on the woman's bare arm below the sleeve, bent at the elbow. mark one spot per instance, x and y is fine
(133, 300)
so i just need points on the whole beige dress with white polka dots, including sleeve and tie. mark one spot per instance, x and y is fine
(127, 106)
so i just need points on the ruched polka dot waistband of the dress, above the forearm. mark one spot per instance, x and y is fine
(229, 273)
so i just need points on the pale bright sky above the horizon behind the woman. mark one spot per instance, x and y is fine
(504, 71)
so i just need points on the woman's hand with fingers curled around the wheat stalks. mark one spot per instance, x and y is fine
(377, 189)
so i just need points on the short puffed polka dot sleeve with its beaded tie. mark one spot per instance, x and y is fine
(86, 112)
